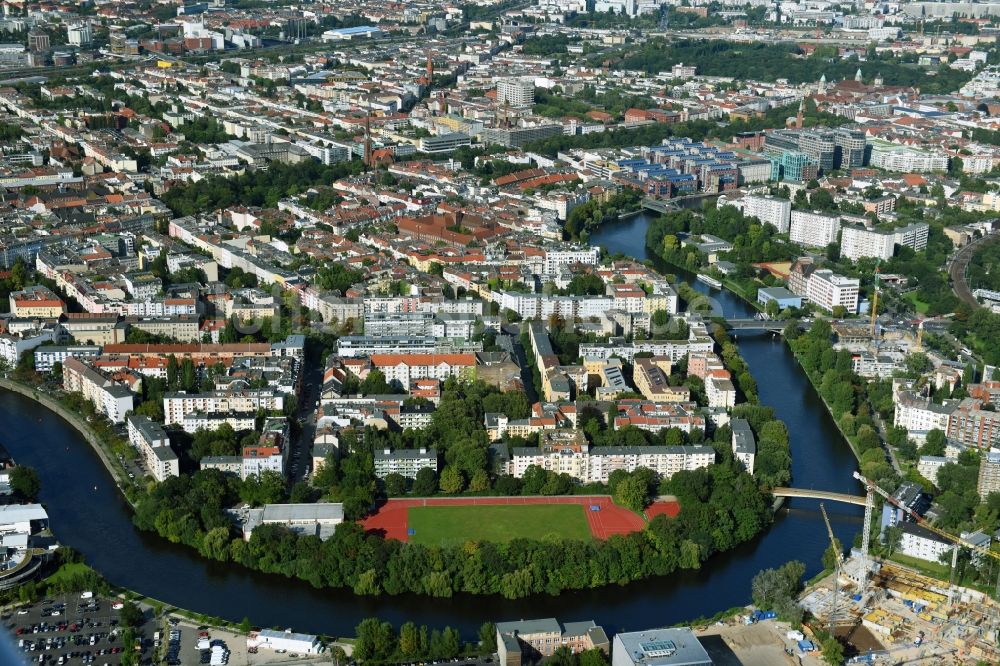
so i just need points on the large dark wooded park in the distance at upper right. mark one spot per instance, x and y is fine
(767, 62)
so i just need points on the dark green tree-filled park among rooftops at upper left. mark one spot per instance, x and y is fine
(255, 188)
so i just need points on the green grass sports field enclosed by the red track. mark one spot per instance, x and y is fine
(449, 525)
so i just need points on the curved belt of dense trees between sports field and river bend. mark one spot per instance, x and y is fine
(721, 507)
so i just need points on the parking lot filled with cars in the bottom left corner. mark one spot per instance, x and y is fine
(69, 630)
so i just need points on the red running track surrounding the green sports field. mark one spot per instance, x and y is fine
(391, 519)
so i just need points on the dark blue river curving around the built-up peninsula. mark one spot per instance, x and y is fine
(88, 513)
